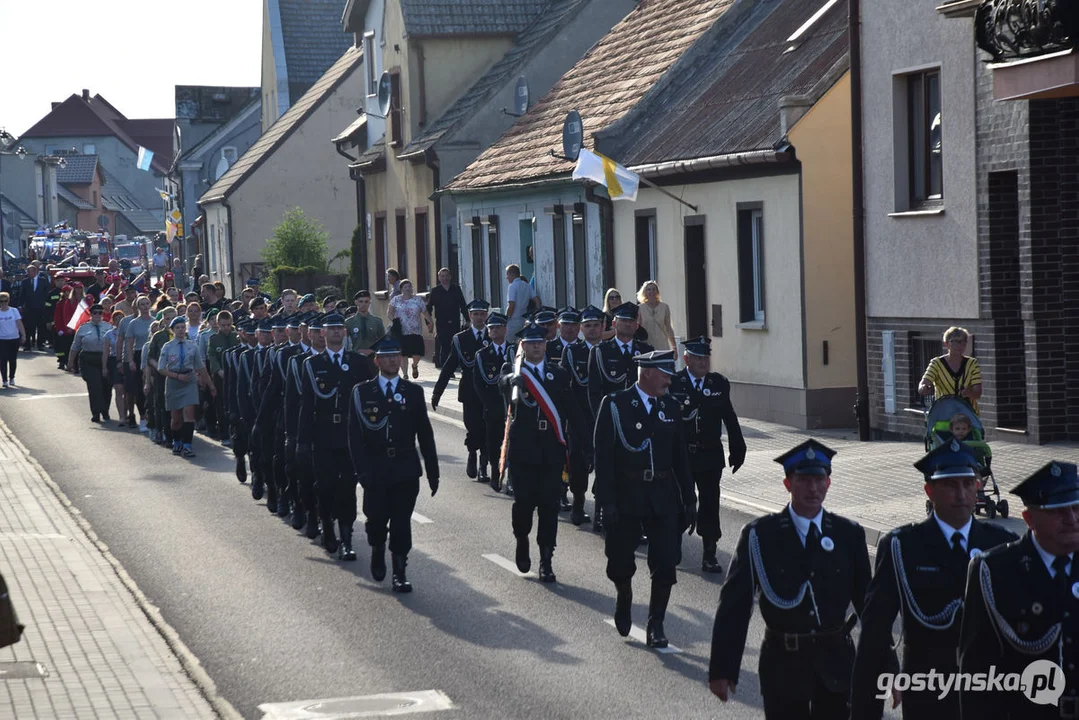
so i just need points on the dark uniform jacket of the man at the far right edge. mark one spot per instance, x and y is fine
(1014, 616)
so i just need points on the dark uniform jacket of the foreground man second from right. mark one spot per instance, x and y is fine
(919, 576)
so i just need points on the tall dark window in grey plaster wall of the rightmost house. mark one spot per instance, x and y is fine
(925, 139)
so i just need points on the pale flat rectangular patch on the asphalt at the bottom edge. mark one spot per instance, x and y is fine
(365, 707)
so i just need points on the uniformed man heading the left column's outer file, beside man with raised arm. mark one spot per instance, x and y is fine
(323, 432)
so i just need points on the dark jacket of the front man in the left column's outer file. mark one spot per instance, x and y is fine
(324, 403)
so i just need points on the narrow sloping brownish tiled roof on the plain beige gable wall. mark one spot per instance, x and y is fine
(278, 133)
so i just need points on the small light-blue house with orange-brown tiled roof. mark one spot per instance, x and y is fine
(517, 203)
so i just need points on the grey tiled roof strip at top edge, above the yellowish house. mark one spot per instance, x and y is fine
(447, 18)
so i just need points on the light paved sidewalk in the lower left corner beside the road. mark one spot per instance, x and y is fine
(85, 620)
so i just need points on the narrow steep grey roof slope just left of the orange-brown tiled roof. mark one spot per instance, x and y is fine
(530, 42)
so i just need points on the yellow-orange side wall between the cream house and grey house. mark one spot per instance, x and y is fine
(823, 143)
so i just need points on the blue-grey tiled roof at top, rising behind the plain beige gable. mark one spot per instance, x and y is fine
(313, 40)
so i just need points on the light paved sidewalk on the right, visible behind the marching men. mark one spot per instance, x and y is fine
(873, 483)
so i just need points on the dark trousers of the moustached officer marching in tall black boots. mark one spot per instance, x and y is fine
(665, 547)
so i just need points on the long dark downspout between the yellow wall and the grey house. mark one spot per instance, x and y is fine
(862, 332)
